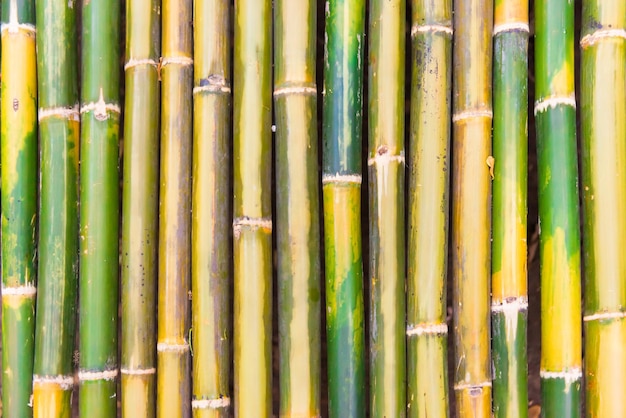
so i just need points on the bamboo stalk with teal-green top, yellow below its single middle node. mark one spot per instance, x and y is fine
(341, 183)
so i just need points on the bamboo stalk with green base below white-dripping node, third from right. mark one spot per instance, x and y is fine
(509, 303)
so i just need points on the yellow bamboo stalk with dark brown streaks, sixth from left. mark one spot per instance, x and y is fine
(211, 244)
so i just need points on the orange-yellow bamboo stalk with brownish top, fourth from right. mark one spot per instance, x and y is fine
(471, 204)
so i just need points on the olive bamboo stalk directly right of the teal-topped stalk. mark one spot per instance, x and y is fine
(386, 208)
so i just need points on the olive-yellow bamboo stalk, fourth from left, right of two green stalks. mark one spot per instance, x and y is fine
(140, 202)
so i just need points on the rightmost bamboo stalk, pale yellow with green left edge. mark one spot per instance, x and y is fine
(603, 101)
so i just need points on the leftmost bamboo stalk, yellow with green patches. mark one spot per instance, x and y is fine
(19, 205)
